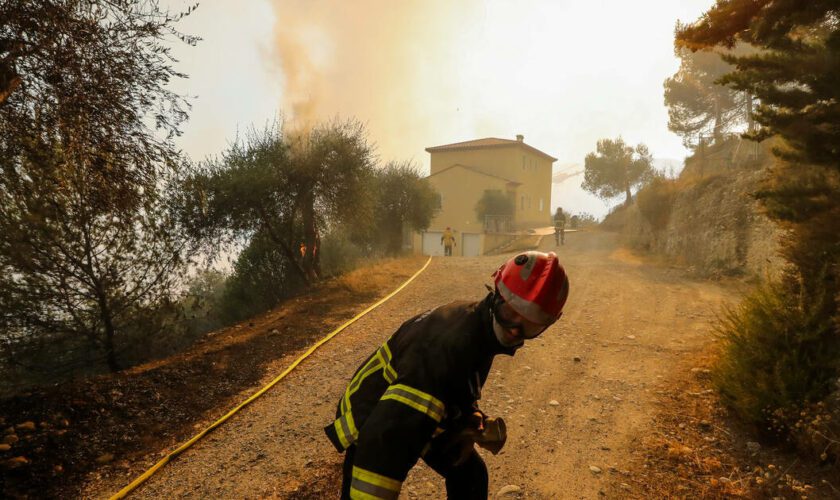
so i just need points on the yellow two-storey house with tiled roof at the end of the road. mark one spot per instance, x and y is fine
(463, 171)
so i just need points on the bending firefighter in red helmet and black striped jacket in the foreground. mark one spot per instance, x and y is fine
(417, 395)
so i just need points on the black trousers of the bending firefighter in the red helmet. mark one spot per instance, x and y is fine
(467, 480)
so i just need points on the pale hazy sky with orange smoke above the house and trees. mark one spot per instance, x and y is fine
(424, 73)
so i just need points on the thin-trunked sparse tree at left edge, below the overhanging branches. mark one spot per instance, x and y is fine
(70, 270)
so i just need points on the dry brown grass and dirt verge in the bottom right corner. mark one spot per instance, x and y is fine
(697, 450)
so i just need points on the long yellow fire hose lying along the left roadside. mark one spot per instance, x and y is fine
(146, 475)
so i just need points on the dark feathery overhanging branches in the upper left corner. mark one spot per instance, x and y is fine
(88, 78)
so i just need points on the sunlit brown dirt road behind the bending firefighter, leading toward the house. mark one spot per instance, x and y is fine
(575, 399)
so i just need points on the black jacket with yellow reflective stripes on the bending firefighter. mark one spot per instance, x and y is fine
(425, 379)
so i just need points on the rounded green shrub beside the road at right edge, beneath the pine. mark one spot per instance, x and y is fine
(778, 354)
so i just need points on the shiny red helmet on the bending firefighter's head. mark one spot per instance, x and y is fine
(535, 285)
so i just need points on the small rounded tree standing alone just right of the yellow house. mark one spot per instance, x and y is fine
(615, 168)
